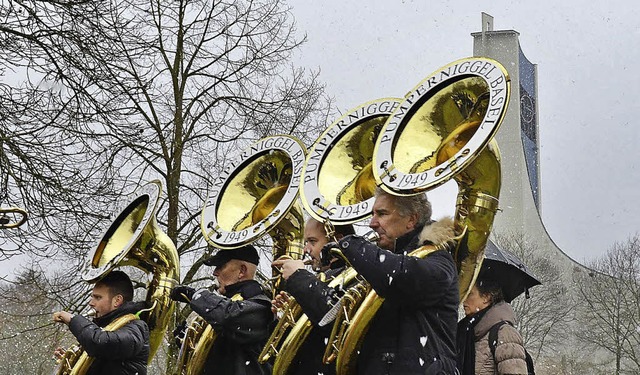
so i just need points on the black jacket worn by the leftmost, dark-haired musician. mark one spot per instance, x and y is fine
(124, 351)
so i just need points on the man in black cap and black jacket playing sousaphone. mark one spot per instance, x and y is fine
(239, 312)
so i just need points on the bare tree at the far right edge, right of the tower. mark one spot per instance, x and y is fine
(611, 310)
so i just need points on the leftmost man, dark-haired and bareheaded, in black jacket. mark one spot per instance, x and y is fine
(122, 351)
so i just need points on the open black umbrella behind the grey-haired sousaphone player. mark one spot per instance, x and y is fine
(508, 271)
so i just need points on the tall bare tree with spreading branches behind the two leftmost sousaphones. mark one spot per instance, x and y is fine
(114, 93)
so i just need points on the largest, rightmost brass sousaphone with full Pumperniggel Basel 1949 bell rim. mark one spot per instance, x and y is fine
(442, 130)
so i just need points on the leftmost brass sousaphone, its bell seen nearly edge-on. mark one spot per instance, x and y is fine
(134, 239)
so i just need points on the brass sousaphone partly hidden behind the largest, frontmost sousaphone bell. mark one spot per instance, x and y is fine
(337, 188)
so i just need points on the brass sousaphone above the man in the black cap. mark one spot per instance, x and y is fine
(256, 194)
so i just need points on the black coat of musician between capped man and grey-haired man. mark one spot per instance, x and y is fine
(316, 299)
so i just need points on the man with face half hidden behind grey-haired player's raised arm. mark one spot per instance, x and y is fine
(314, 296)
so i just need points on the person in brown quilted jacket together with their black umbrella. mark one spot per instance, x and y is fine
(487, 340)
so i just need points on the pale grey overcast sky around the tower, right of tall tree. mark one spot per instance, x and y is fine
(588, 91)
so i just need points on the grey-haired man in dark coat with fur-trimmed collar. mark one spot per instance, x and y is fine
(415, 328)
